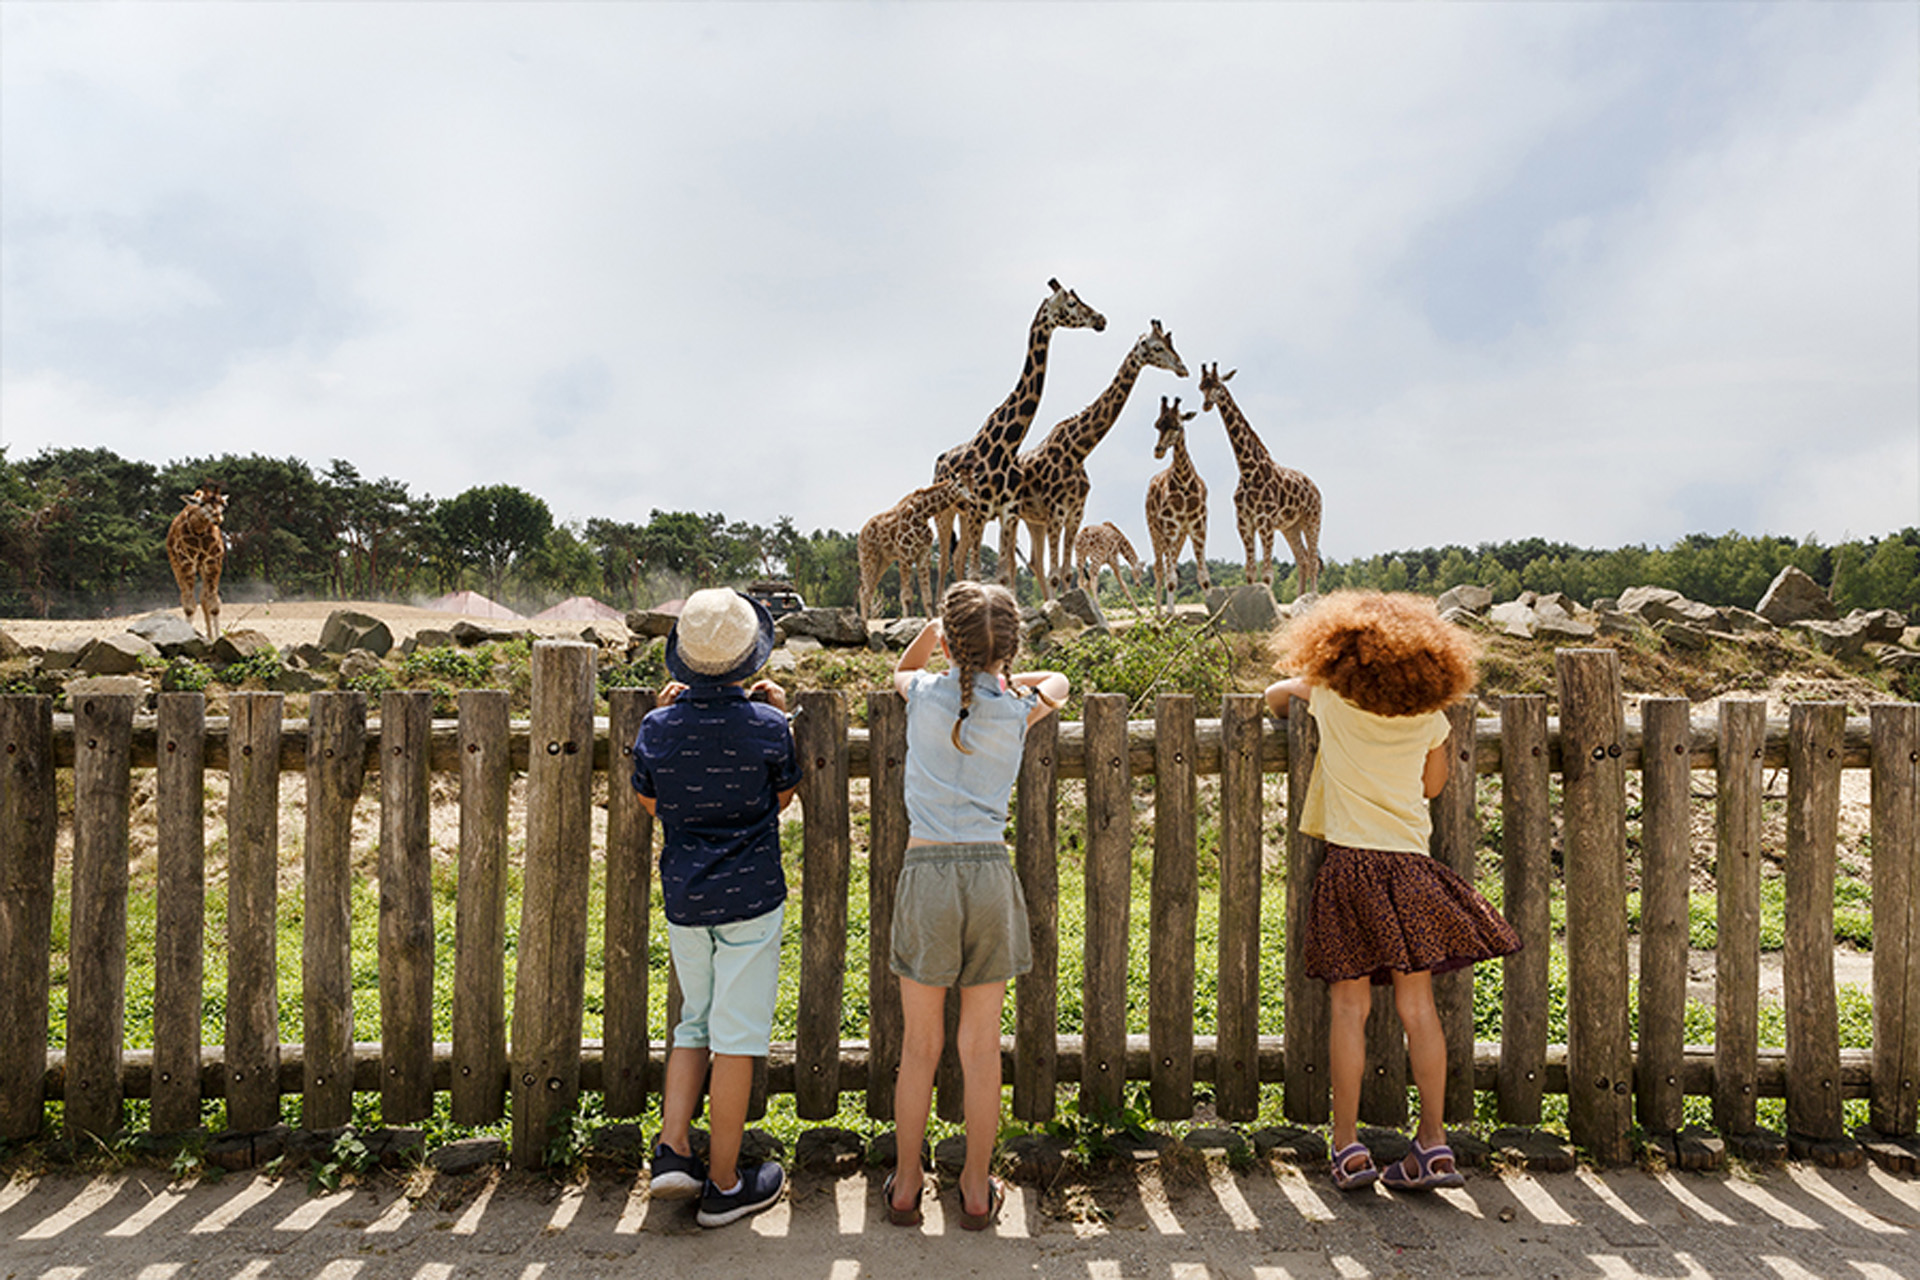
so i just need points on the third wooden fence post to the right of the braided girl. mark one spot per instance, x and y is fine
(1176, 911)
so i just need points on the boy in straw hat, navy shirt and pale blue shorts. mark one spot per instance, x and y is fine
(717, 765)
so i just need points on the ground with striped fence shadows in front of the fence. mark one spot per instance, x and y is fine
(1262, 1225)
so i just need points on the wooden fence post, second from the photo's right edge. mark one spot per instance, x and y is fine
(1815, 736)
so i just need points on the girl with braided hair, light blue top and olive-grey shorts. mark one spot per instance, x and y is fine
(959, 916)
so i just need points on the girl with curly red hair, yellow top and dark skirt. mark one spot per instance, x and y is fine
(1376, 673)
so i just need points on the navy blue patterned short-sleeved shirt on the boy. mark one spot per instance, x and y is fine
(715, 765)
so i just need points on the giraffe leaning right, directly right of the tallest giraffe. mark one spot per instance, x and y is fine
(1053, 477)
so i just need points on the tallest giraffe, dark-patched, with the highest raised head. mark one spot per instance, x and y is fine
(996, 446)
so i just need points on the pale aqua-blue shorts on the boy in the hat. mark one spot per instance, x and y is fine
(729, 984)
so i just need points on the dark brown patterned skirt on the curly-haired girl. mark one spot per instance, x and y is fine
(1378, 914)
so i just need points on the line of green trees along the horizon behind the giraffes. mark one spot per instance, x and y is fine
(84, 533)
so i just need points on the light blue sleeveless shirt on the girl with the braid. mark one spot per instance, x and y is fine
(955, 797)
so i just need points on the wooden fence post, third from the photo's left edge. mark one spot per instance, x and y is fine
(180, 909)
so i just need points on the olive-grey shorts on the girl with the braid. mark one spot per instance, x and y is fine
(959, 918)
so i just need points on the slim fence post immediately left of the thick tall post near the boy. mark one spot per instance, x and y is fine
(481, 911)
